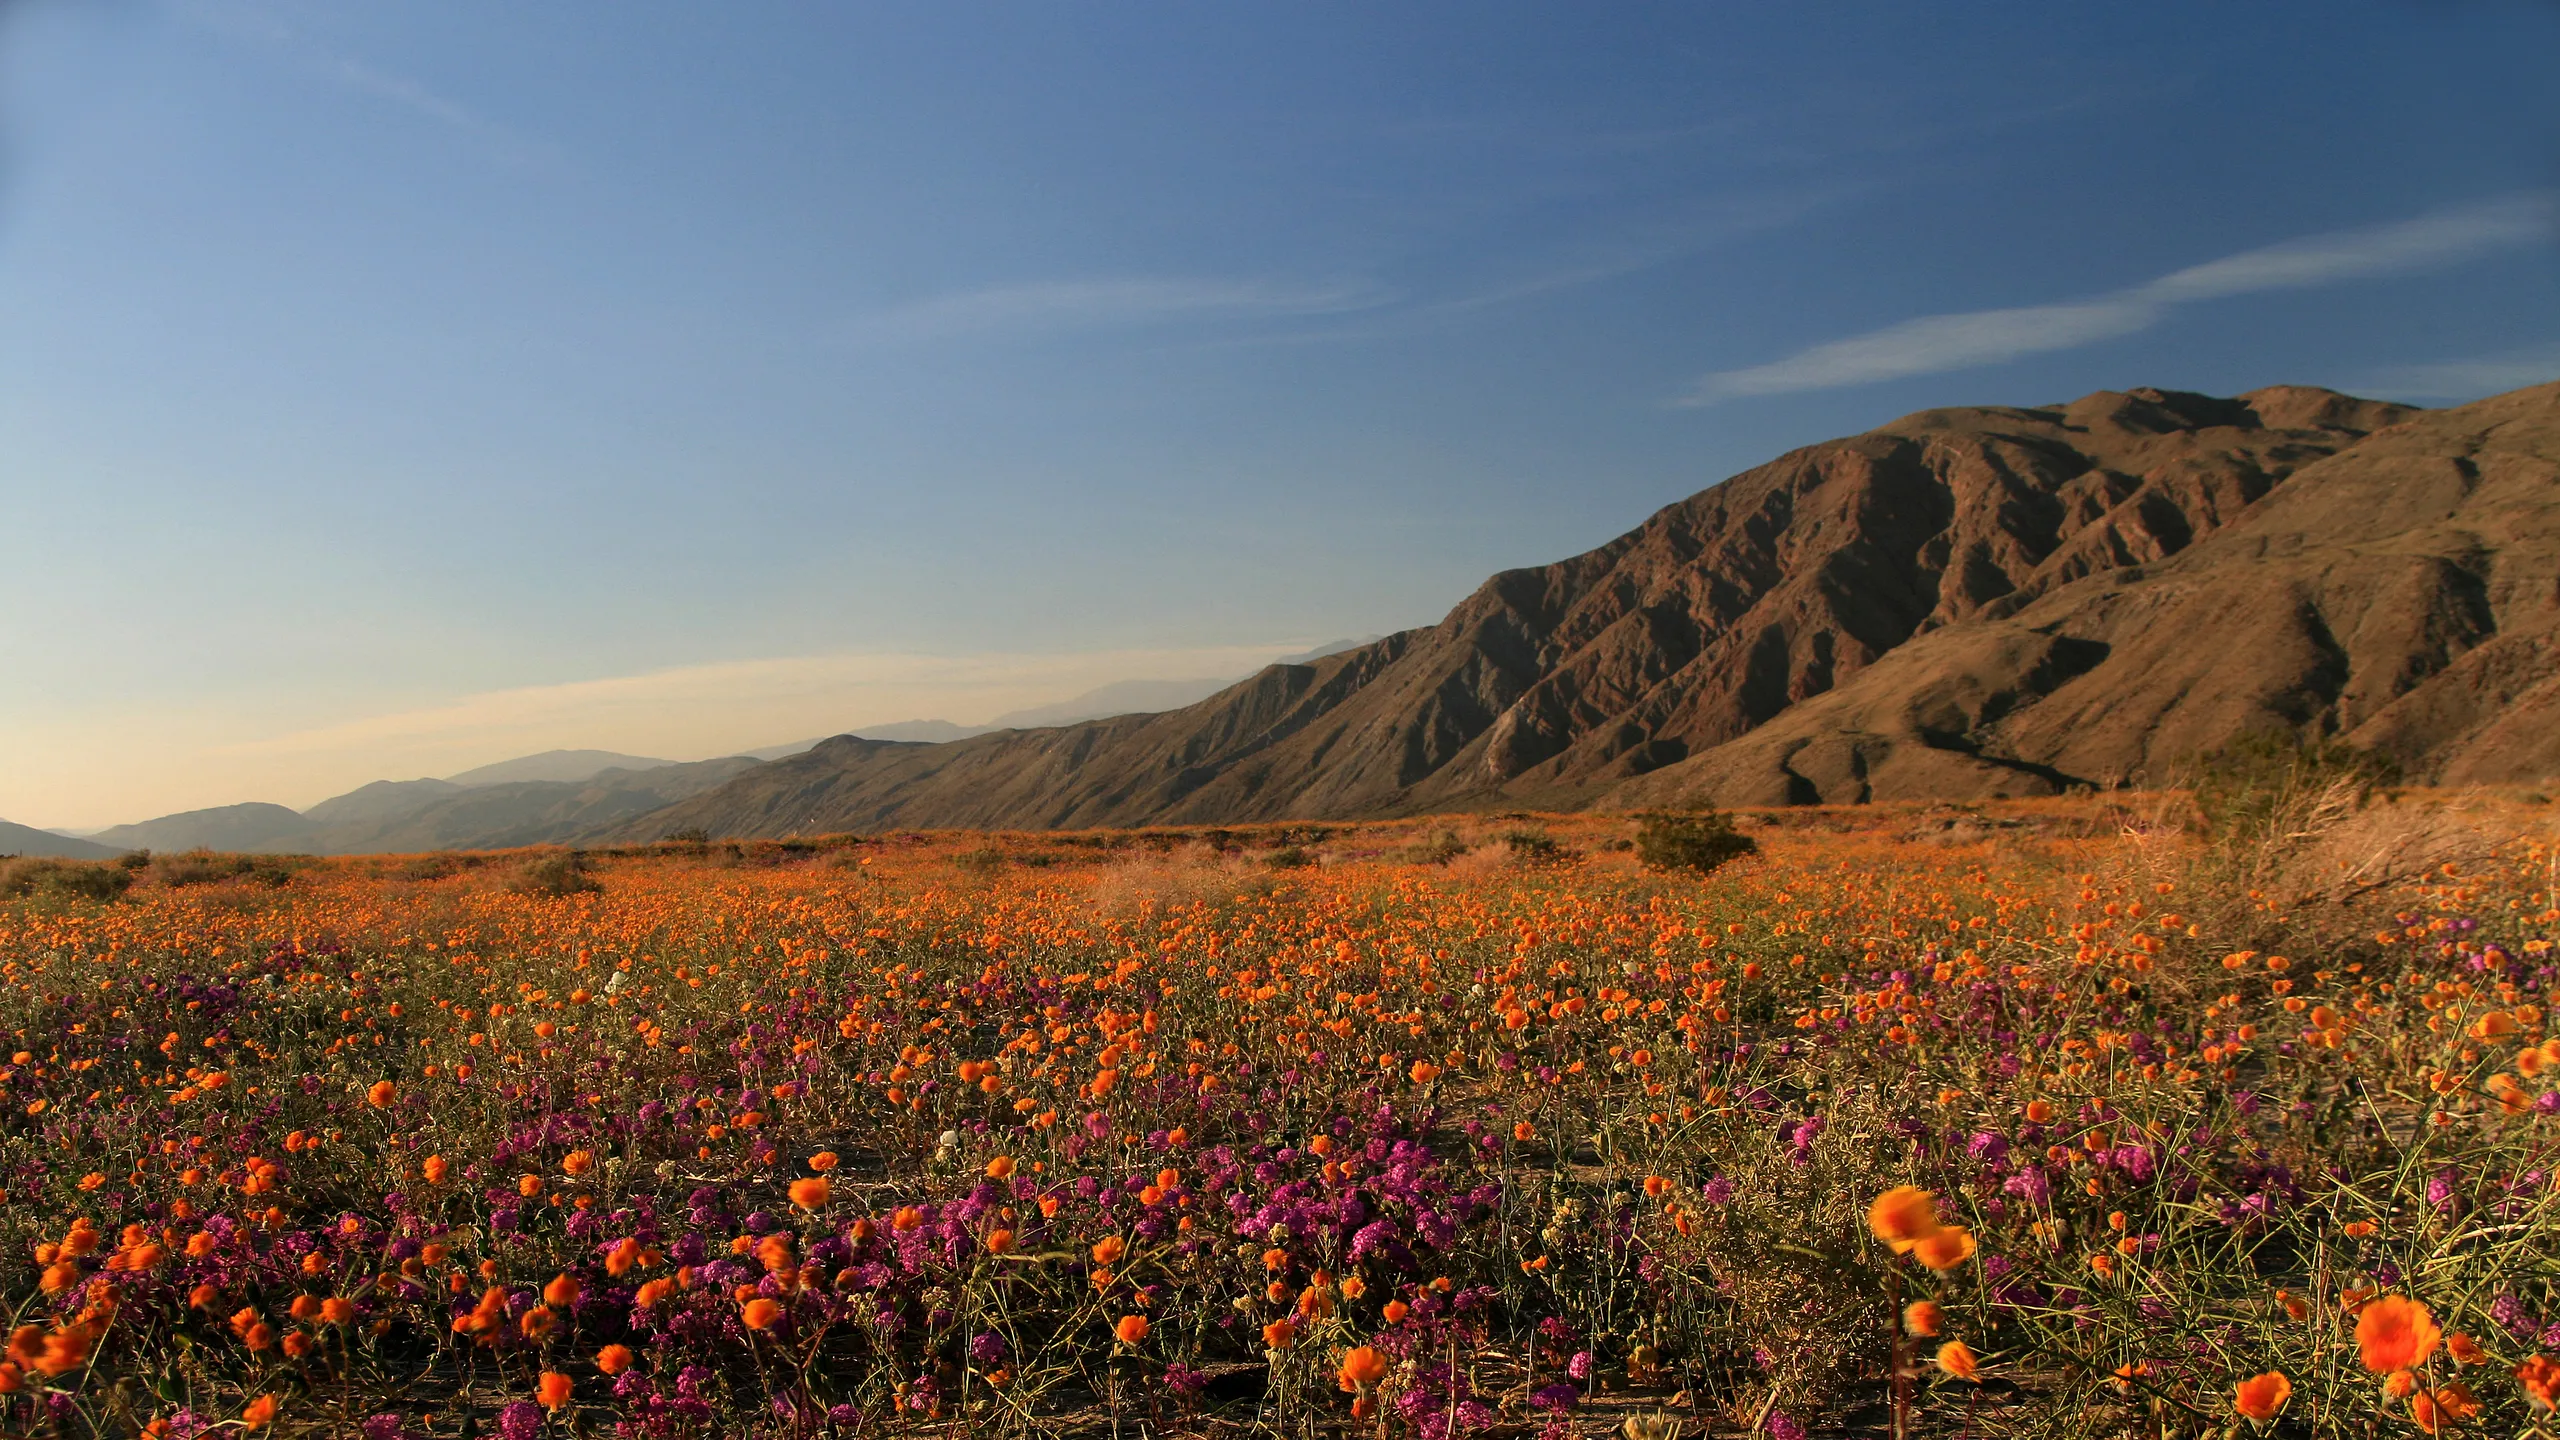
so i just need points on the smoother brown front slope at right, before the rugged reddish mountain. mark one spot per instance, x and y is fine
(2403, 593)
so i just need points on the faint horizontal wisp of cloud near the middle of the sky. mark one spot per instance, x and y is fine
(1112, 304)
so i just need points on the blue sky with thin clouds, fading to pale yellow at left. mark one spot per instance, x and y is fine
(398, 386)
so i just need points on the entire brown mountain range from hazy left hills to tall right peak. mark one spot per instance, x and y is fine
(1962, 603)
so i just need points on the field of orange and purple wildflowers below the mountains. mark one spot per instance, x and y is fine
(2024, 1121)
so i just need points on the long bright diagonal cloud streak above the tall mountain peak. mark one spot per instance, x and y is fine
(1937, 345)
